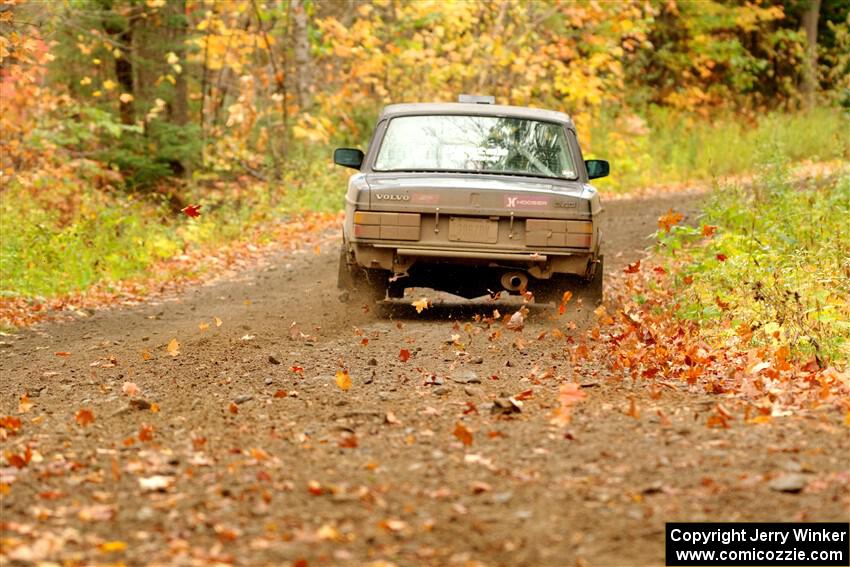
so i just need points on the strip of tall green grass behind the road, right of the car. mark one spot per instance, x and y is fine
(669, 147)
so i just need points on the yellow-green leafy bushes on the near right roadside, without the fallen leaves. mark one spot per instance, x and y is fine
(779, 263)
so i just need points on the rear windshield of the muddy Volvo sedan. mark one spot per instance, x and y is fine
(476, 144)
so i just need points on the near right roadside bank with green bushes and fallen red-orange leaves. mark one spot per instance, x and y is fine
(751, 304)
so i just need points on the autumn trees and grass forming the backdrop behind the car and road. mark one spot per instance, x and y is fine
(134, 133)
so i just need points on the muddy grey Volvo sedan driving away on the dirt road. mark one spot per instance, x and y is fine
(438, 213)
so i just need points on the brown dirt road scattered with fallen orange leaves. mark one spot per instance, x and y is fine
(256, 456)
